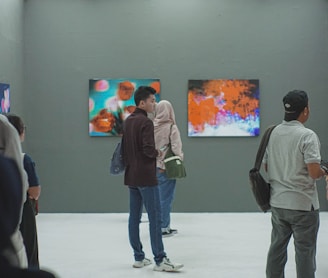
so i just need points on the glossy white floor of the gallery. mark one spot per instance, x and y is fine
(218, 245)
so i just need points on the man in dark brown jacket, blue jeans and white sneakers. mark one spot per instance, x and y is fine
(140, 176)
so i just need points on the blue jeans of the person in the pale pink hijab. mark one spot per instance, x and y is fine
(166, 193)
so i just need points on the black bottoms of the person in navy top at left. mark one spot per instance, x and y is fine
(29, 234)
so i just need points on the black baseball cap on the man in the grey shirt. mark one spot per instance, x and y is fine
(295, 101)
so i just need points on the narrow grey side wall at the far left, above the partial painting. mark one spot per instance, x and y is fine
(11, 50)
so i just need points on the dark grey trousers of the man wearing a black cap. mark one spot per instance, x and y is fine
(303, 225)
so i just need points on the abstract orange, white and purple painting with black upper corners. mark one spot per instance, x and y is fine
(223, 107)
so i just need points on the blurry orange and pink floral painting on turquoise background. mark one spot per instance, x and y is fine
(111, 101)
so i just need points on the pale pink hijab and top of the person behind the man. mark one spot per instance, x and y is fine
(166, 130)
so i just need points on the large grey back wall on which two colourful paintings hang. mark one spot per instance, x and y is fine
(281, 42)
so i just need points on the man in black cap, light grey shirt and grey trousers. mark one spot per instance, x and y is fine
(292, 161)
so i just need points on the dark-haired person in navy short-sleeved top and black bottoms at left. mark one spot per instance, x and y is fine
(28, 224)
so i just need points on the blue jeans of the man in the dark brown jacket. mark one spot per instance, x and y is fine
(147, 196)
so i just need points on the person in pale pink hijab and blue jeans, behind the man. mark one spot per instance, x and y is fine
(166, 132)
